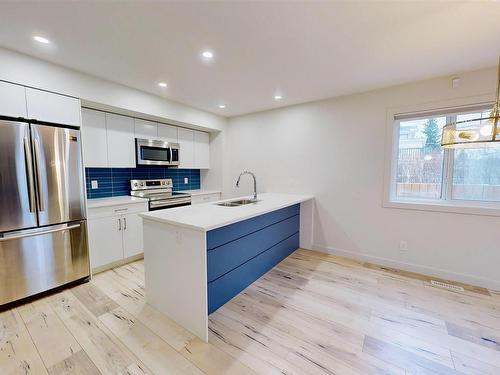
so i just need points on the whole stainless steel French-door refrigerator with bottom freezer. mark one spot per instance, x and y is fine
(43, 231)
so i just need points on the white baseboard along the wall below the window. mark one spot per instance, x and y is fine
(412, 267)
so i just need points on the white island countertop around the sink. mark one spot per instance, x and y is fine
(209, 216)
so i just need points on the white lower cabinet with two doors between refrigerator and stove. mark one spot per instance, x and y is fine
(115, 234)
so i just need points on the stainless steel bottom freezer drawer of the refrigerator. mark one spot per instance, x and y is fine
(33, 261)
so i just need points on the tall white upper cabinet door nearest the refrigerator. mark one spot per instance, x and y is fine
(95, 145)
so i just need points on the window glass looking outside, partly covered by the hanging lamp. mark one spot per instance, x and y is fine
(423, 171)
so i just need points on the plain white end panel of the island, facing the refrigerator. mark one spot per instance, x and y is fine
(175, 262)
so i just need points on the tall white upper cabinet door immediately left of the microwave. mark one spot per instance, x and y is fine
(121, 148)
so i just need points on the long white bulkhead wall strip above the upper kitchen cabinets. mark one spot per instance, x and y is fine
(29, 71)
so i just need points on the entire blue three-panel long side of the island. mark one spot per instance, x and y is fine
(240, 253)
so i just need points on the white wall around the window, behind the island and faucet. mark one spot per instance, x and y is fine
(335, 150)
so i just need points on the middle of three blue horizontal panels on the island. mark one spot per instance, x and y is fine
(232, 254)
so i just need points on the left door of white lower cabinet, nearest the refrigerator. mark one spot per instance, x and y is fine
(105, 240)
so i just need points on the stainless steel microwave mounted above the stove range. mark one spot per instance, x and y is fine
(156, 152)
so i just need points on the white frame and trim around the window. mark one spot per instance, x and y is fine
(445, 203)
